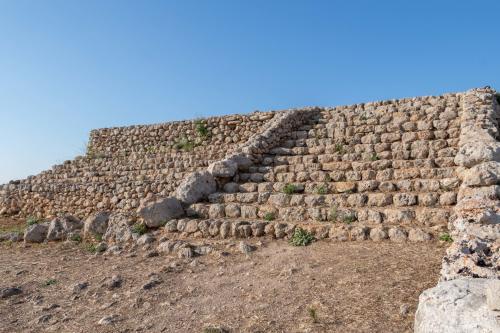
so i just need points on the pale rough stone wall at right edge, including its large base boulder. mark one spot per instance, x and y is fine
(467, 299)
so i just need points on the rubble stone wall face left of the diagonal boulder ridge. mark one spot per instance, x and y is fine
(125, 166)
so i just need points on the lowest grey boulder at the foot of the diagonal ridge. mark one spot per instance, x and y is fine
(161, 211)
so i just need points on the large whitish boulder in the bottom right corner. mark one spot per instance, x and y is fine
(457, 306)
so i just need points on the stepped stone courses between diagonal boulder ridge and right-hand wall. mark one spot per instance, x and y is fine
(377, 164)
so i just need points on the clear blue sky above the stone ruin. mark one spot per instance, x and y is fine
(69, 66)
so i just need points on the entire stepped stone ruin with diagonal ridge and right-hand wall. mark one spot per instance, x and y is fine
(412, 169)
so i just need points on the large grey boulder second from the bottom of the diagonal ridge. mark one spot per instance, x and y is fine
(195, 187)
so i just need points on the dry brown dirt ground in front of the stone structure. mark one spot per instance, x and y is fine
(325, 287)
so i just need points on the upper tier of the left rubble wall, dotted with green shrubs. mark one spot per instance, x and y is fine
(223, 134)
